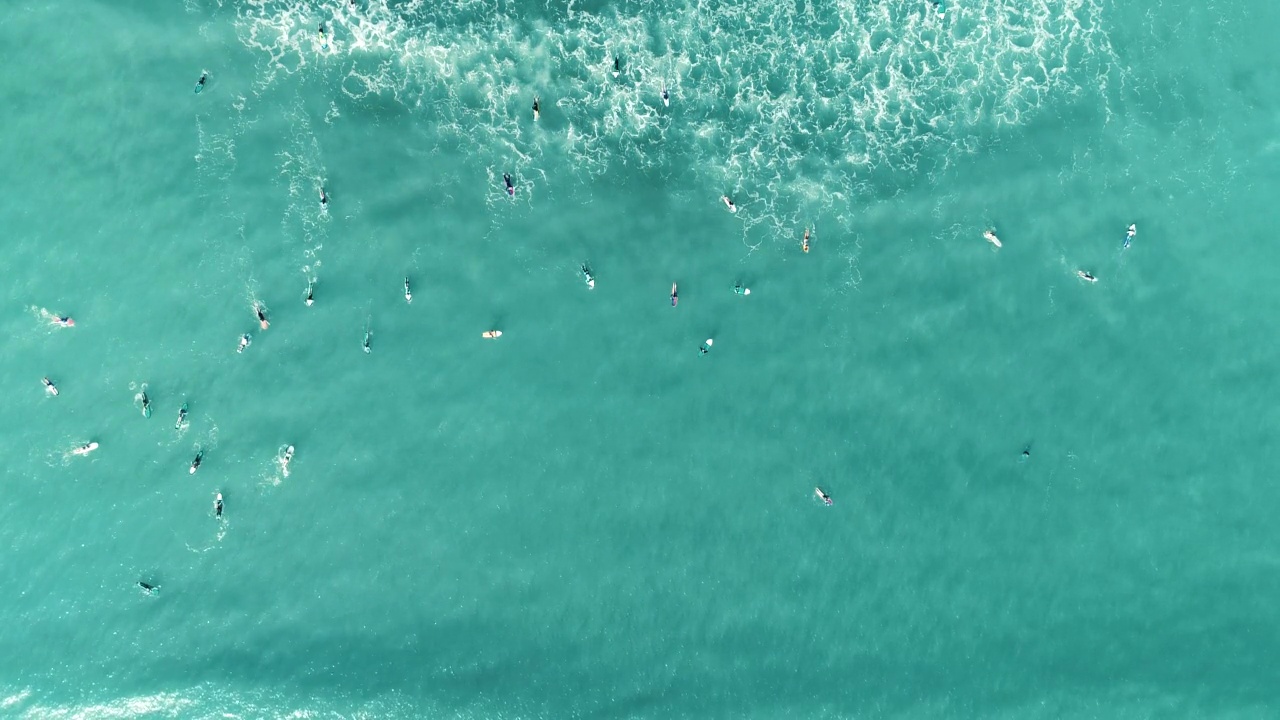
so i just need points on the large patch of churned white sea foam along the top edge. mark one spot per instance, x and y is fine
(781, 106)
